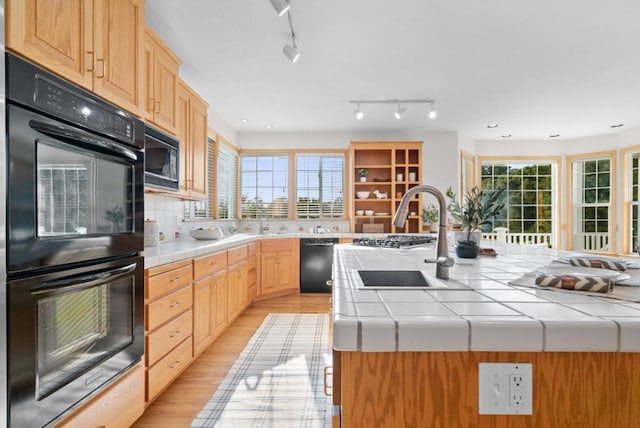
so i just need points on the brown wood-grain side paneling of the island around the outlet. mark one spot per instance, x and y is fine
(440, 389)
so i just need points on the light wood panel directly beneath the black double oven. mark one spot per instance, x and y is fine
(119, 405)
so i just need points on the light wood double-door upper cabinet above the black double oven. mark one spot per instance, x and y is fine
(96, 44)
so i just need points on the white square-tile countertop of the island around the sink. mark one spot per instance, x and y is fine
(477, 311)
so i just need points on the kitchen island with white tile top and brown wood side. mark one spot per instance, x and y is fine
(410, 357)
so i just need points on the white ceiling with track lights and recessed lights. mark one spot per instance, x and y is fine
(534, 67)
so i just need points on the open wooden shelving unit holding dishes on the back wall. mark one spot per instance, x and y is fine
(393, 168)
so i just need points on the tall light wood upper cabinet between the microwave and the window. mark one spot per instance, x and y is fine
(192, 133)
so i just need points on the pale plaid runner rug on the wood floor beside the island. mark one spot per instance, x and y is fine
(277, 381)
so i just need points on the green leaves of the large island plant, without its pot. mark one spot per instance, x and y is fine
(477, 208)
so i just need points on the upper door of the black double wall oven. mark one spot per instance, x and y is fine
(72, 195)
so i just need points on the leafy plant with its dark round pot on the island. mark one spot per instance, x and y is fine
(477, 208)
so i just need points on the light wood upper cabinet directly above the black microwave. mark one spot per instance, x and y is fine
(160, 83)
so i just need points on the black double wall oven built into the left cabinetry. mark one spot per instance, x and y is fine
(75, 208)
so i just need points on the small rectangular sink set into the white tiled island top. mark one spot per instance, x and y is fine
(395, 279)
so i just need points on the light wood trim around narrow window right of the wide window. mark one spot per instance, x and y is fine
(611, 154)
